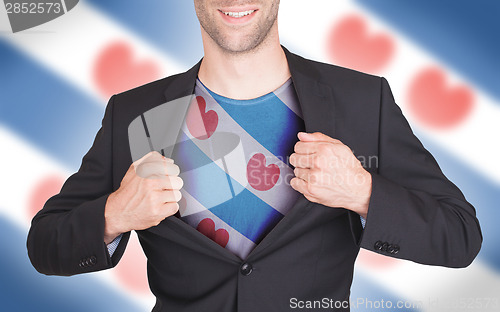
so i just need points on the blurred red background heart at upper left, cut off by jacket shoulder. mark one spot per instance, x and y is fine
(115, 70)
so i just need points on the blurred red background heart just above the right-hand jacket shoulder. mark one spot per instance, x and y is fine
(351, 46)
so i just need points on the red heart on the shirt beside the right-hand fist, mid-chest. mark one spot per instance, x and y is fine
(260, 176)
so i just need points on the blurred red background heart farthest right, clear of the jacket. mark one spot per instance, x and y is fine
(434, 103)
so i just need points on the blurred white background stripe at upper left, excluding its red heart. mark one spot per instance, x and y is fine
(81, 42)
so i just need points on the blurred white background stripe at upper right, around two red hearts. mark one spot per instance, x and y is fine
(467, 141)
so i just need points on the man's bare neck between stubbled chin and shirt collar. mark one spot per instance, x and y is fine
(244, 76)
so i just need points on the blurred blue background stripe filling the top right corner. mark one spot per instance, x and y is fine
(462, 34)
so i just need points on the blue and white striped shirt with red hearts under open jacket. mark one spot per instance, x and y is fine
(233, 157)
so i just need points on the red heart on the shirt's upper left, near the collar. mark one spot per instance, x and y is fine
(201, 124)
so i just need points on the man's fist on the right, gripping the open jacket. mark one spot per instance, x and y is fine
(327, 172)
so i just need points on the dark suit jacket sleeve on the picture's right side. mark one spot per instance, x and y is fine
(415, 212)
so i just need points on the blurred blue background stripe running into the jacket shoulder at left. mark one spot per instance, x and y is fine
(36, 104)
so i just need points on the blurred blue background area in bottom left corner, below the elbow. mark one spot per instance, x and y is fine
(27, 290)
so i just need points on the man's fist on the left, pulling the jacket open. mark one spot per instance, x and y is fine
(148, 193)
